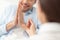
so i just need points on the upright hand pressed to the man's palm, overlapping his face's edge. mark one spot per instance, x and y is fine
(20, 16)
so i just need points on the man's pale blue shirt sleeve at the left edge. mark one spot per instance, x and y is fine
(5, 18)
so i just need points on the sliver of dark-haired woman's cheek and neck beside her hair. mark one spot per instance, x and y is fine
(41, 15)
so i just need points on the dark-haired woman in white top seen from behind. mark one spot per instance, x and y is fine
(49, 14)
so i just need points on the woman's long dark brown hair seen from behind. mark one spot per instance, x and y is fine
(51, 8)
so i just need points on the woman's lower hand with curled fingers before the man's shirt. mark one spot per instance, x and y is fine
(30, 28)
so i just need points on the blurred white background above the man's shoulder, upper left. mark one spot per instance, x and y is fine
(4, 3)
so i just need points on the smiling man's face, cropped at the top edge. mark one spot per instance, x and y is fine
(27, 4)
